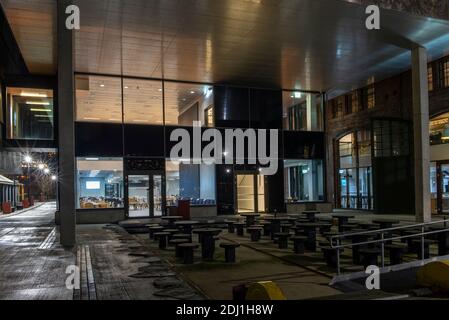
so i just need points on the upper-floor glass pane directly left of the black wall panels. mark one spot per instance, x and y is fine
(185, 103)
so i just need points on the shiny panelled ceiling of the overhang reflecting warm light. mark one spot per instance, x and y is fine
(293, 44)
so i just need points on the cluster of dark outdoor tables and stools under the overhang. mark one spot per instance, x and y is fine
(307, 239)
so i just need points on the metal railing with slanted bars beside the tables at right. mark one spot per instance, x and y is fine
(336, 240)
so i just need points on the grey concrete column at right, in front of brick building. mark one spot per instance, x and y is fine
(421, 134)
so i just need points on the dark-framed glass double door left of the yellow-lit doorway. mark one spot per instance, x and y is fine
(145, 194)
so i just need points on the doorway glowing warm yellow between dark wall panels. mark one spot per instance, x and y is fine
(250, 193)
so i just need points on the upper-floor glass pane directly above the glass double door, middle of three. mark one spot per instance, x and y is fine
(142, 102)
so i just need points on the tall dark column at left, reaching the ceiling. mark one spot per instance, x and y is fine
(66, 103)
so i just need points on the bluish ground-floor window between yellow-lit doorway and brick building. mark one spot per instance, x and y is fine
(303, 180)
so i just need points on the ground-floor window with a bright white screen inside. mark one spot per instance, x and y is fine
(99, 183)
